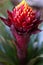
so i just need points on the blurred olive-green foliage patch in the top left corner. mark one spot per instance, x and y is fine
(4, 5)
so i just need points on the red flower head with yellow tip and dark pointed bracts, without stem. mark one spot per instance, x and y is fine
(23, 18)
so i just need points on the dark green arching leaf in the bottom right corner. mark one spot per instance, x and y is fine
(36, 61)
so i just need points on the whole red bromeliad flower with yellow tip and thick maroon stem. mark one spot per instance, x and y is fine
(23, 21)
